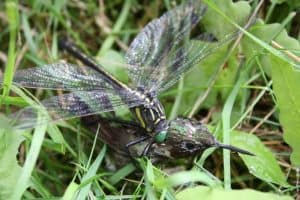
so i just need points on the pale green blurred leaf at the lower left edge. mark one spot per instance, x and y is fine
(9, 168)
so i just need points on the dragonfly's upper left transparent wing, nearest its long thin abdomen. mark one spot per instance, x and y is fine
(61, 76)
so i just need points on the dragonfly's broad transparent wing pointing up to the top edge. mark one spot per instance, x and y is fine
(161, 40)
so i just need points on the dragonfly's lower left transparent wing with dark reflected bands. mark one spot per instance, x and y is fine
(75, 104)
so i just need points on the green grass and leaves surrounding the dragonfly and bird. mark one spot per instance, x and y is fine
(250, 96)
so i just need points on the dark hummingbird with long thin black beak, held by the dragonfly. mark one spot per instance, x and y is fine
(185, 138)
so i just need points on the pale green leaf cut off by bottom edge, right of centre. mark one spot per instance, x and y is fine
(218, 193)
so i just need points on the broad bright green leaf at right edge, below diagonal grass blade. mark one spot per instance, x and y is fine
(286, 82)
